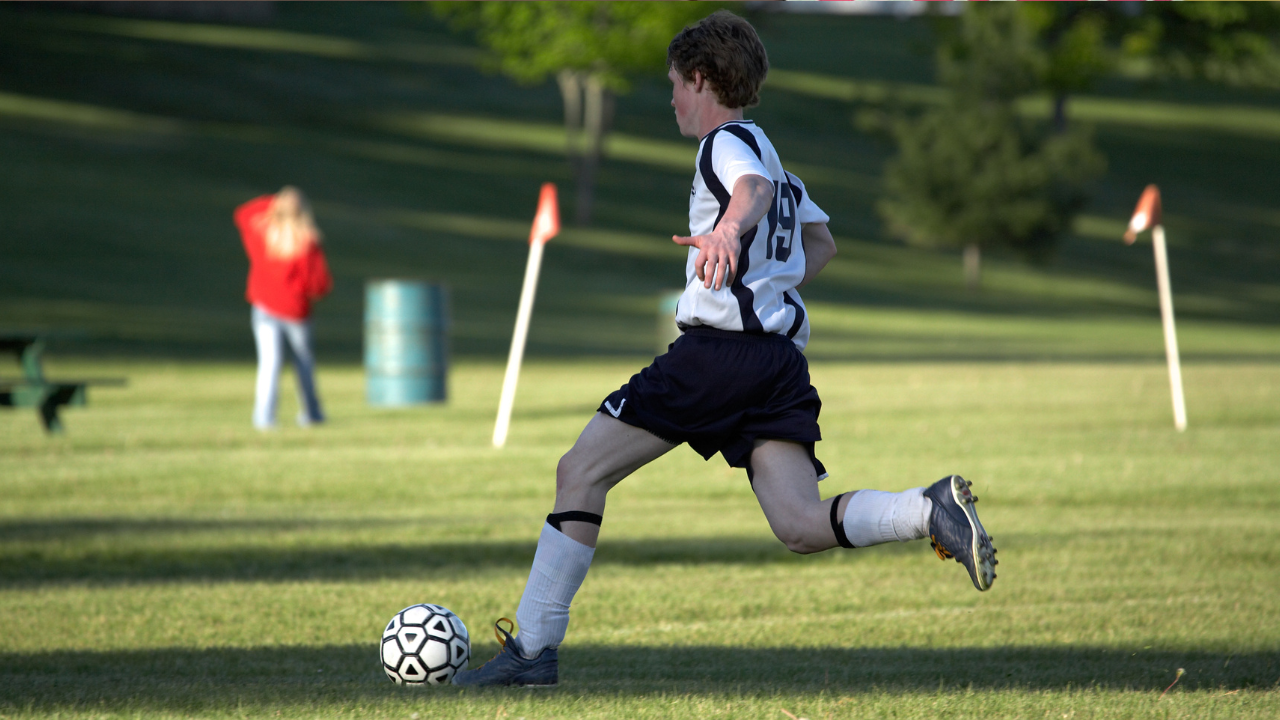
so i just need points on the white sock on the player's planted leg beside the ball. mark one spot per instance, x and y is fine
(560, 568)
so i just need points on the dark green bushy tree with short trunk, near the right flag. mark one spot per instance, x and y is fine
(972, 174)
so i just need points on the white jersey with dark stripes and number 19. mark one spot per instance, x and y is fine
(771, 265)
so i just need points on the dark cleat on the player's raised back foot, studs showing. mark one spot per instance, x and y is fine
(956, 531)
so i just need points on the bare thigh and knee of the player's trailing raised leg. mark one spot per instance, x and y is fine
(785, 485)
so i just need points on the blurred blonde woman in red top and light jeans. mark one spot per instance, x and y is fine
(287, 272)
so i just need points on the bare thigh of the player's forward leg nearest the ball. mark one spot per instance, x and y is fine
(607, 452)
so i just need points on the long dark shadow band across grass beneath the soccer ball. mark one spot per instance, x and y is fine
(176, 680)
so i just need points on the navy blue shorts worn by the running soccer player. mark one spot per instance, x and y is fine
(721, 391)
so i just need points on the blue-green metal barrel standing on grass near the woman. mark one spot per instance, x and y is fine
(406, 343)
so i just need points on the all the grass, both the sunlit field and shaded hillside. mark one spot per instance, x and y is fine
(163, 560)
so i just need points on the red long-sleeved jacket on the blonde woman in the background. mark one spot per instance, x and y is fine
(282, 288)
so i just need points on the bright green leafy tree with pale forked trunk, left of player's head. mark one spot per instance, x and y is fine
(593, 49)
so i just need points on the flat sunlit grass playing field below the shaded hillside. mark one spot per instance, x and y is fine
(166, 560)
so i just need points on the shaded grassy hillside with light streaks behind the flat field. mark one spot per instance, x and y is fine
(126, 143)
